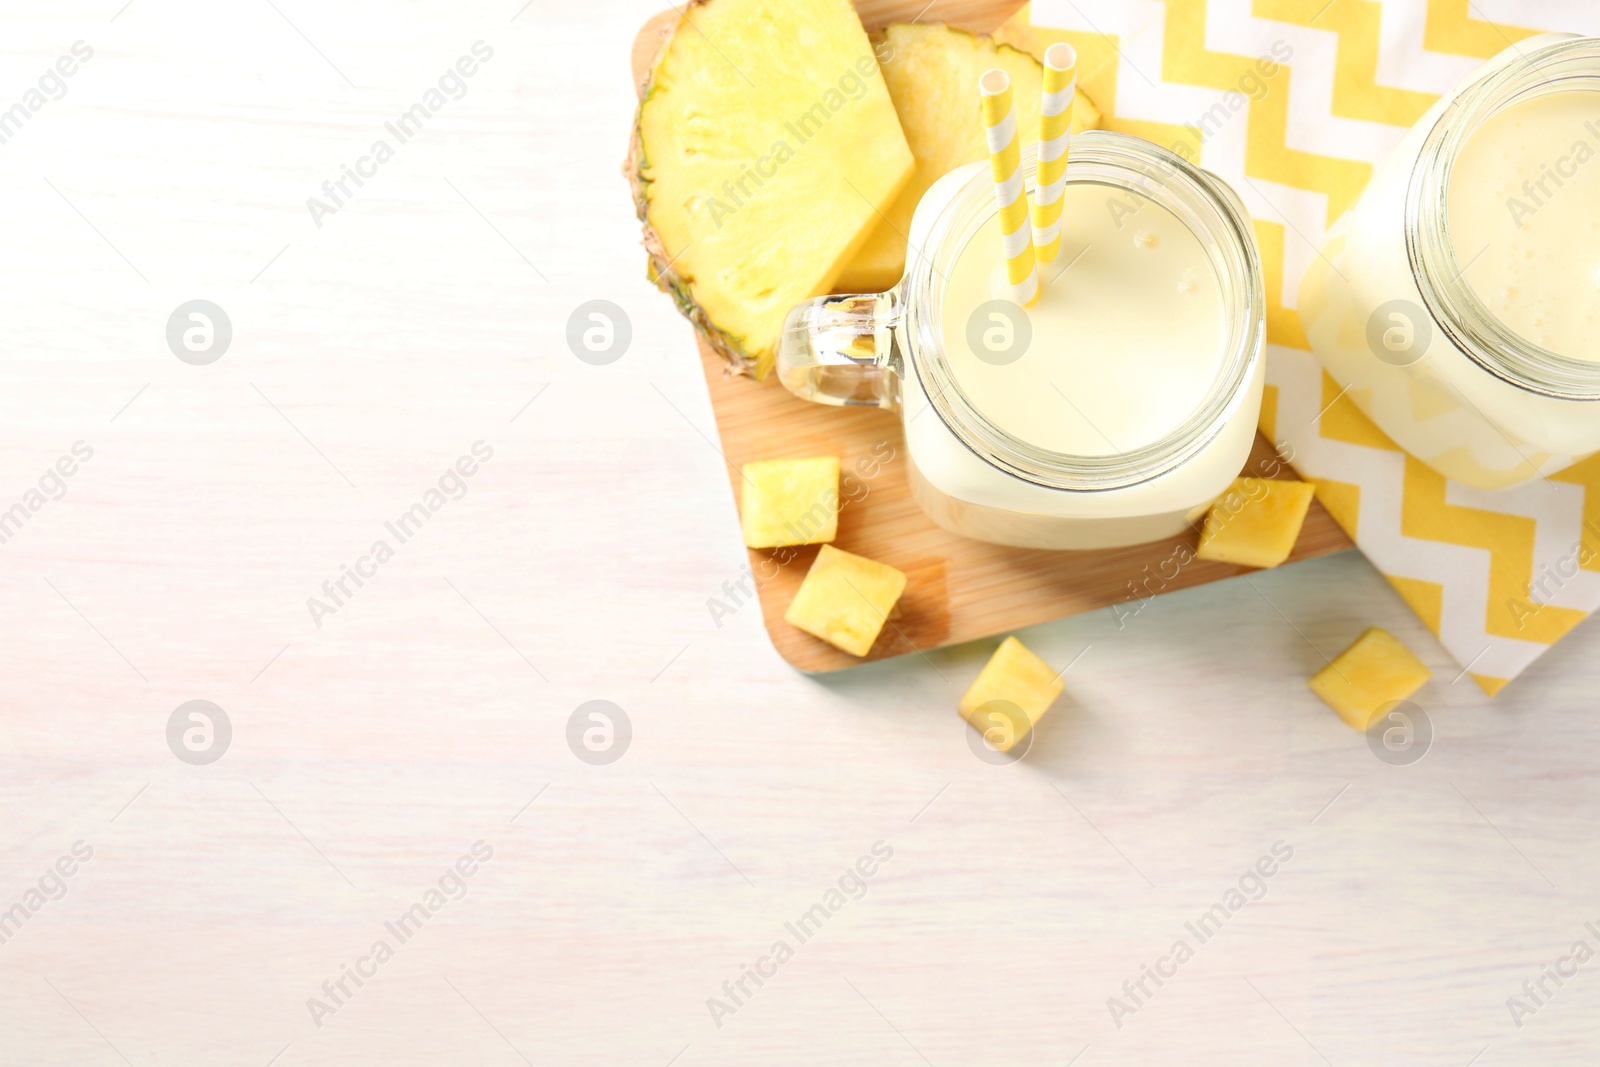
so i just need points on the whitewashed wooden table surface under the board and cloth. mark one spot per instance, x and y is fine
(430, 711)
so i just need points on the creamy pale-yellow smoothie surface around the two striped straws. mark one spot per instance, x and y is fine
(1126, 335)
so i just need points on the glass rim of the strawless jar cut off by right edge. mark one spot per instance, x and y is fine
(1431, 247)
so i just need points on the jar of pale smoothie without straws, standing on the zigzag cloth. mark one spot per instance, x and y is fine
(1458, 303)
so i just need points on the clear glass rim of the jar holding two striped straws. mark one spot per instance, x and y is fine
(1202, 202)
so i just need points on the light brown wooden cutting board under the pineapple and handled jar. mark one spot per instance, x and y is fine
(958, 589)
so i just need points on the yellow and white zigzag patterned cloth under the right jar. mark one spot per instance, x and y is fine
(1295, 103)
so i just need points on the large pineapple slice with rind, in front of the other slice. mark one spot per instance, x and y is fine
(764, 151)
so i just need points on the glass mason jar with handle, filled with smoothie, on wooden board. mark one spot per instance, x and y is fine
(1111, 412)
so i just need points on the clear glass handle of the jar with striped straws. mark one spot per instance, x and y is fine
(842, 351)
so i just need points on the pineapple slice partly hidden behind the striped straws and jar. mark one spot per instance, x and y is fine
(932, 73)
